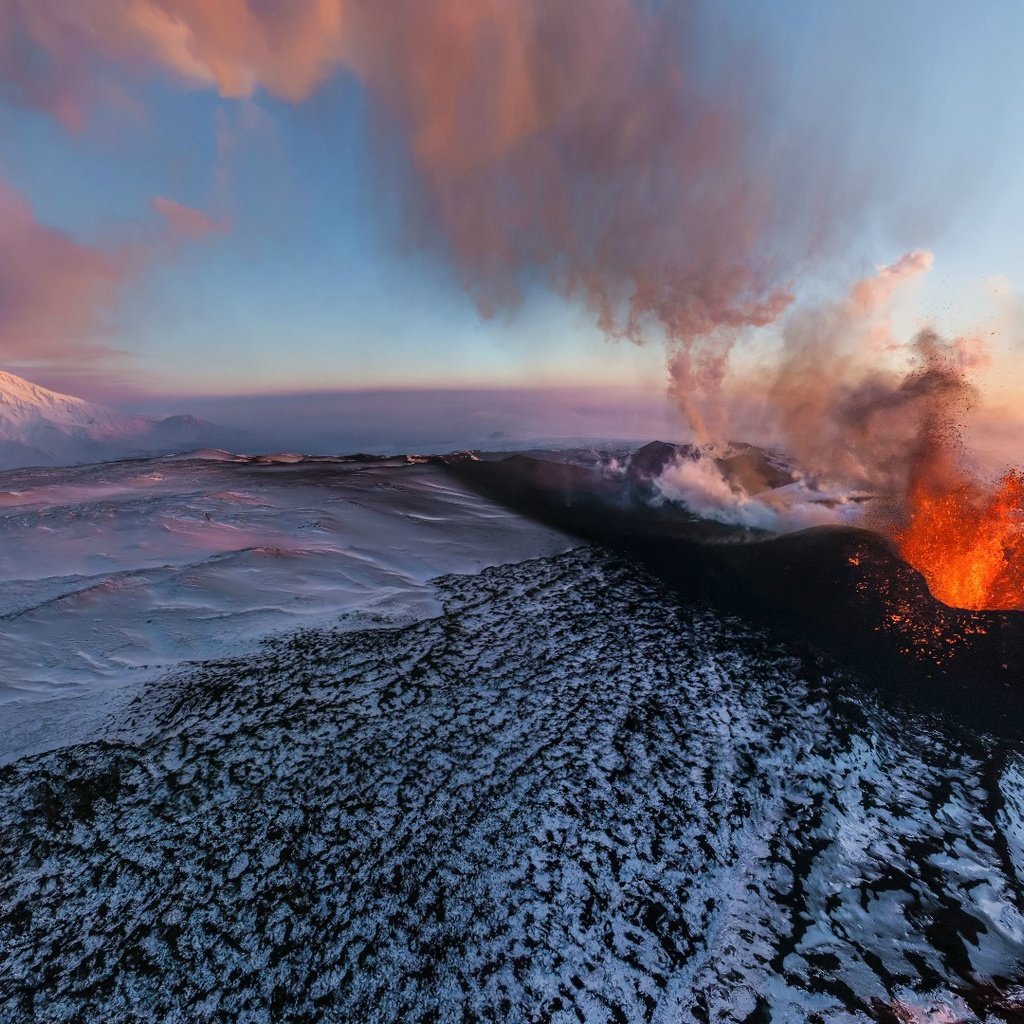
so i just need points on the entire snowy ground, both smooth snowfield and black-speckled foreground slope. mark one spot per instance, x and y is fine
(322, 741)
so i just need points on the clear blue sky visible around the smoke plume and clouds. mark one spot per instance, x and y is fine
(918, 107)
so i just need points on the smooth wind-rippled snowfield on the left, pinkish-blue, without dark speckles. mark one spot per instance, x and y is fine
(114, 573)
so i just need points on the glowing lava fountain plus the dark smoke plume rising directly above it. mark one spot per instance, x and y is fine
(898, 434)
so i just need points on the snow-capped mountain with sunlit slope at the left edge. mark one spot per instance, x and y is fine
(40, 428)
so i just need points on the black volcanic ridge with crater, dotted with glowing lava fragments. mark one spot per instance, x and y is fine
(846, 590)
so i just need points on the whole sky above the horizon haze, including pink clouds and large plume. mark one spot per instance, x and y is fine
(253, 197)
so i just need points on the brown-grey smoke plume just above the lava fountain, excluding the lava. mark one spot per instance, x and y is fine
(860, 408)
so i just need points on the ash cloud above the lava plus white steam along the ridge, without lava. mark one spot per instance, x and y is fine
(871, 421)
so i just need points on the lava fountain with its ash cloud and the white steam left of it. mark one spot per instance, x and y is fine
(875, 430)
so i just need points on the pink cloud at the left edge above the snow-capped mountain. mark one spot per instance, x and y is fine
(55, 292)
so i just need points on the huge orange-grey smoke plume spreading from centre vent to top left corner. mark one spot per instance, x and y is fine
(604, 149)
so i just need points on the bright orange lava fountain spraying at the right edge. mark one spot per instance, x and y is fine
(968, 542)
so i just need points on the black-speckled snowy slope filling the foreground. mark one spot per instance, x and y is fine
(566, 798)
